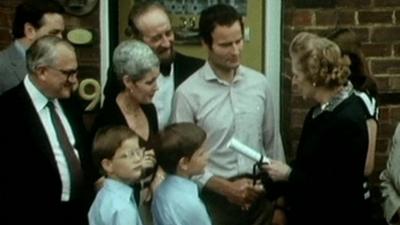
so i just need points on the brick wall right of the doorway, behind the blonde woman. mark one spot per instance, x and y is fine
(377, 22)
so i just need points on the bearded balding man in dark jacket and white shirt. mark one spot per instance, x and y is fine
(149, 22)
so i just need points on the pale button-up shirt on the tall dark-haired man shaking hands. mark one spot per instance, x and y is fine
(242, 109)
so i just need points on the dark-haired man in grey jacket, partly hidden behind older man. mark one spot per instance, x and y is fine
(33, 19)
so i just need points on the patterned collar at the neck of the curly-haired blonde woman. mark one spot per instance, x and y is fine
(335, 100)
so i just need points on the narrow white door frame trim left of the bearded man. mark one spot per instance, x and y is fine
(104, 44)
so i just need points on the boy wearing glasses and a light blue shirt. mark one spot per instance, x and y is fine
(117, 152)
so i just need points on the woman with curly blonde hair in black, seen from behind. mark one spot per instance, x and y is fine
(325, 181)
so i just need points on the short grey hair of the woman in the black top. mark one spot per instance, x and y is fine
(134, 59)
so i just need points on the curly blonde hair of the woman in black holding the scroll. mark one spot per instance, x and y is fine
(320, 60)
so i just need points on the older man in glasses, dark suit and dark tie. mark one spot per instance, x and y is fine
(47, 169)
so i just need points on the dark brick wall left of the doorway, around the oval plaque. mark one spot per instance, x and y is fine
(88, 55)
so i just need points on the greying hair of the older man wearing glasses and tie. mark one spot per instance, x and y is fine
(43, 52)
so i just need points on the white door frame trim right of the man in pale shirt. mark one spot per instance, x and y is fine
(273, 9)
